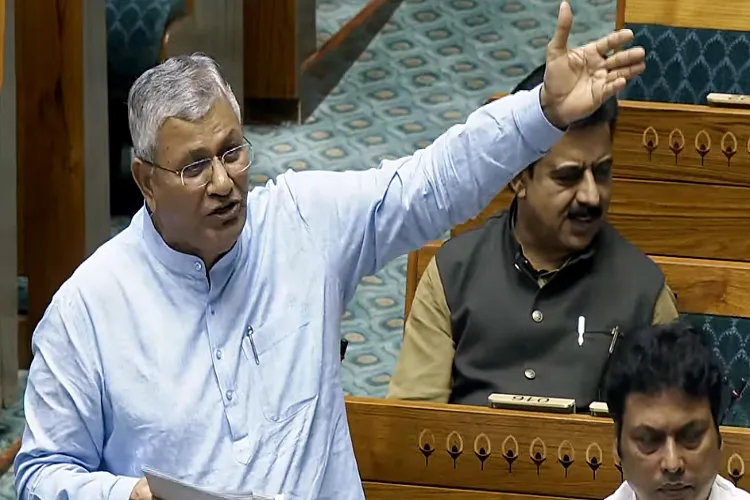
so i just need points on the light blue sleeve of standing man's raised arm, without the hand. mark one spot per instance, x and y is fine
(364, 219)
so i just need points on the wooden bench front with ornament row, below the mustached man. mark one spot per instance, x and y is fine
(390, 441)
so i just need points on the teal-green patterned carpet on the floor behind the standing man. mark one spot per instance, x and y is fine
(433, 63)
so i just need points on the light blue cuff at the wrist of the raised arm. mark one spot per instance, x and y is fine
(537, 132)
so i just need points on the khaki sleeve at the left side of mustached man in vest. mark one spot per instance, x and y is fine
(424, 368)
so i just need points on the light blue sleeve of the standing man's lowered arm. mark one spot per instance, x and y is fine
(62, 443)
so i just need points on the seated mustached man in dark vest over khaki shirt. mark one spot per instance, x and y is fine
(497, 310)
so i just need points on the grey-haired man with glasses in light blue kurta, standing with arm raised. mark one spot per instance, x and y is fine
(203, 340)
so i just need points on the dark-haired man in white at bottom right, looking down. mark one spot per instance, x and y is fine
(667, 396)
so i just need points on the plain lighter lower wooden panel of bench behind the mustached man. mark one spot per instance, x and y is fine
(702, 286)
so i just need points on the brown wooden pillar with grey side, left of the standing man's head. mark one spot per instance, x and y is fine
(63, 205)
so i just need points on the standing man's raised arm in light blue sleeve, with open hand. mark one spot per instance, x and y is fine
(364, 219)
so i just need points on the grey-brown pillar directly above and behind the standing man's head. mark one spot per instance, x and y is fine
(213, 27)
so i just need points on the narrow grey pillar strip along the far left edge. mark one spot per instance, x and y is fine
(8, 267)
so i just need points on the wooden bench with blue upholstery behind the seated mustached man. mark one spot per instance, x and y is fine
(681, 194)
